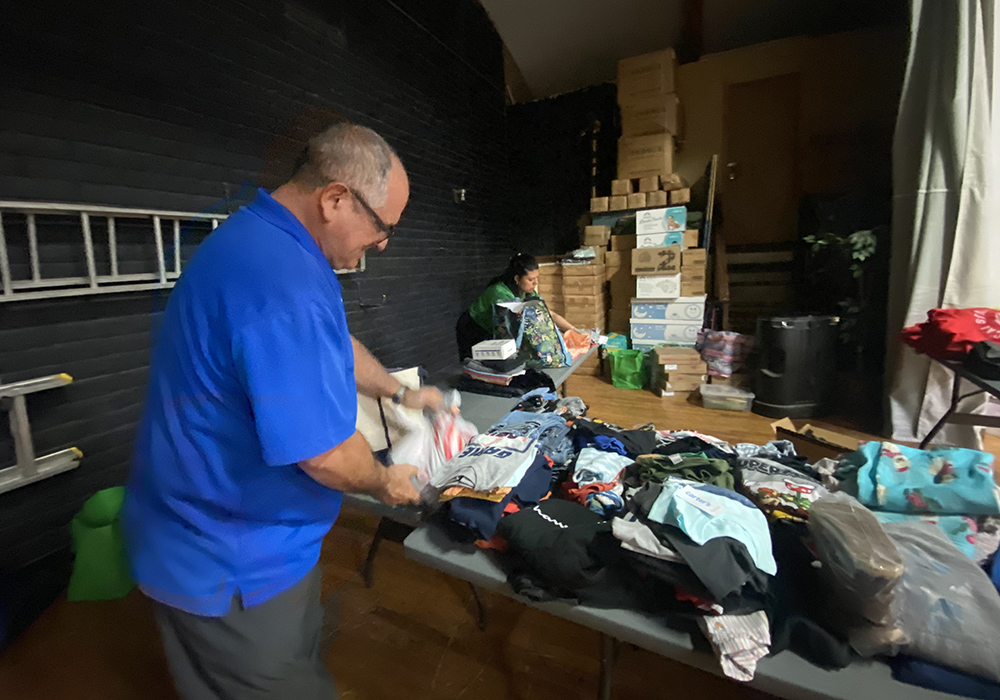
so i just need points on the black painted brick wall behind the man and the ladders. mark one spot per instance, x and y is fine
(184, 105)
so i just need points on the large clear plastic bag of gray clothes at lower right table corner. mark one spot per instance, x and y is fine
(946, 604)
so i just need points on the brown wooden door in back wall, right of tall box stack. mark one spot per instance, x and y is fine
(759, 178)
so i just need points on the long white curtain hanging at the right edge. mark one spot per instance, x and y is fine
(946, 209)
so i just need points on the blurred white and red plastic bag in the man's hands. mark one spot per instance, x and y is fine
(431, 442)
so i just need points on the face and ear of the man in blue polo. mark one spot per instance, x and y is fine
(350, 227)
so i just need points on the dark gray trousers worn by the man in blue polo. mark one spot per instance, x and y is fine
(267, 652)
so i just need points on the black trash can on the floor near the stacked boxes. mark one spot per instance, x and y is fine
(795, 365)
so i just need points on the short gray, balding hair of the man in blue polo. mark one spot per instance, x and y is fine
(351, 154)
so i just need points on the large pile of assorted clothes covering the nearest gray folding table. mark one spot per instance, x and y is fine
(749, 545)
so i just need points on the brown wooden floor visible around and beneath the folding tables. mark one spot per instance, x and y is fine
(413, 635)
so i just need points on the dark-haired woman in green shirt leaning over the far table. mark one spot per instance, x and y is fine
(518, 281)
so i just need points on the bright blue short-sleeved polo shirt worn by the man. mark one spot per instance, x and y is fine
(253, 372)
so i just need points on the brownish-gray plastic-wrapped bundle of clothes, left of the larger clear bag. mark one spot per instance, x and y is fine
(860, 562)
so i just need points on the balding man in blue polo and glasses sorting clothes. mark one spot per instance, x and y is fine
(248, 437)
